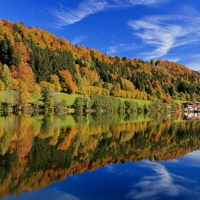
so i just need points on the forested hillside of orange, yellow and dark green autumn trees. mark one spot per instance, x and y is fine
(33, 59)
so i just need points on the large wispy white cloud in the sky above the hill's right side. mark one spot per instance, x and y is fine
(164, 33)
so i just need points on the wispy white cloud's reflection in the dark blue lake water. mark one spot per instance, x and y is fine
(161, 182)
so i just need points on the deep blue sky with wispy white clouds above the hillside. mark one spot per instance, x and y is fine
(146, 29)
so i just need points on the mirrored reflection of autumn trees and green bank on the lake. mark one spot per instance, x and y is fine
(38, 150)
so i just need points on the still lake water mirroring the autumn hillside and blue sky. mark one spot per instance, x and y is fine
(99, 157)
